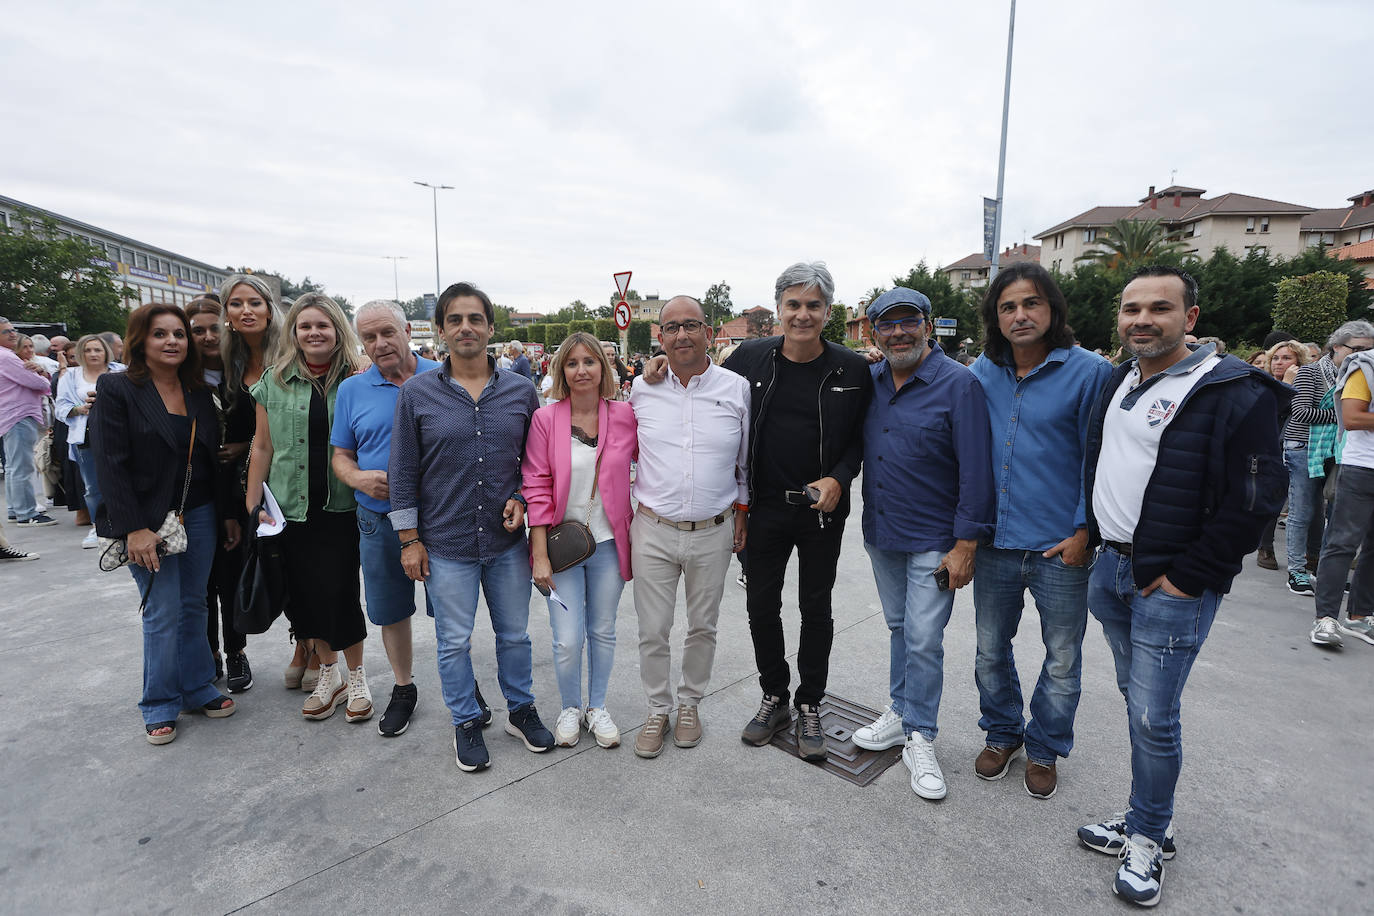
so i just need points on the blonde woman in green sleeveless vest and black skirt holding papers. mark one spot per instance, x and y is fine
(292, 454)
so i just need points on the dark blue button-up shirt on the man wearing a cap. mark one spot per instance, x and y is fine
(928, 465)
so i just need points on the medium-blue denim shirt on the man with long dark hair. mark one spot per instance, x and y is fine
(1039, 436)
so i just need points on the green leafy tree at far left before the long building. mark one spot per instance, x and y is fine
(49, 278)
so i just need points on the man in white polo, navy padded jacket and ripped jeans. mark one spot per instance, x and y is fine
(1184, 470)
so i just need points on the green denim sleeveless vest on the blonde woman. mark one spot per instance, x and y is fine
(289, 422)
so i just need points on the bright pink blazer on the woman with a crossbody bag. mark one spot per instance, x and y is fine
(549, 458)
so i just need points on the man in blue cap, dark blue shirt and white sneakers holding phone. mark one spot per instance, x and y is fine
(928, 501)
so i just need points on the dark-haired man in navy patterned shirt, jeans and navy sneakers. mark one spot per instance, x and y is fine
(454, 477)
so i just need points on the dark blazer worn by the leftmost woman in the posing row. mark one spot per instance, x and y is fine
(139, 457)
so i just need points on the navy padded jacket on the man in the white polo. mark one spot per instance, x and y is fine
(1218, 480)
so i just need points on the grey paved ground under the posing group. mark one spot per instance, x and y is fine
(269, 814)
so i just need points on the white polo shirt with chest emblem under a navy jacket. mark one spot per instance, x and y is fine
(1137, 417)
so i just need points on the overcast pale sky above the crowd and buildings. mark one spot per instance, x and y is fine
(690, 145)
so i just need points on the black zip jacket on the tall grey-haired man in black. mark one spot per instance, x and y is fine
(842, 404)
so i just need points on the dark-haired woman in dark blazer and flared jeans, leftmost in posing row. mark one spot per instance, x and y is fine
(155, 435)
